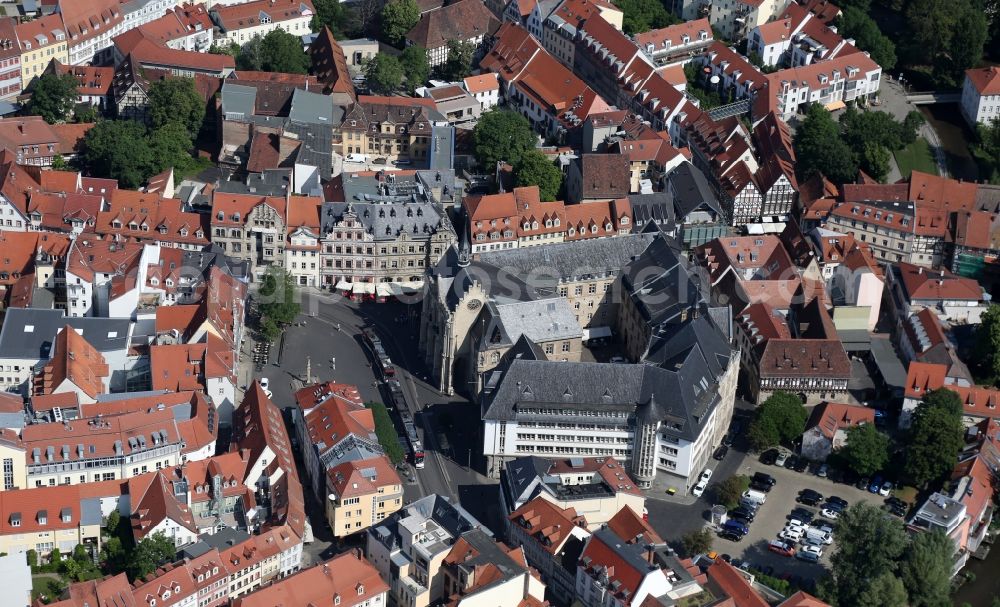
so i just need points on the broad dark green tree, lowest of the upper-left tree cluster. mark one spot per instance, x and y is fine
(119, 149)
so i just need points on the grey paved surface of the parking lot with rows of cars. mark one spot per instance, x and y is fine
(773, 514)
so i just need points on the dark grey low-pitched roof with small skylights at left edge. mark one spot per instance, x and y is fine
(28, 333)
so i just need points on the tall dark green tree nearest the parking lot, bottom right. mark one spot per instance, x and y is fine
(869, 544)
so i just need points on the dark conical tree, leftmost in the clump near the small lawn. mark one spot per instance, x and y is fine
(819, 148)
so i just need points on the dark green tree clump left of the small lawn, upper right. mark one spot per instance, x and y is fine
(861, 140)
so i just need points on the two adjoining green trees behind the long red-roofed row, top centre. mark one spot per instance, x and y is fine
(506, 136)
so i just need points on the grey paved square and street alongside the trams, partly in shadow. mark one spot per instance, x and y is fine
(339, 355)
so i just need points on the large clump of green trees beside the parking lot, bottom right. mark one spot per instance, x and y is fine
(877, 564)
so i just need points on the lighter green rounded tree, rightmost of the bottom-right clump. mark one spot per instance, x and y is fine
(926, 569)
